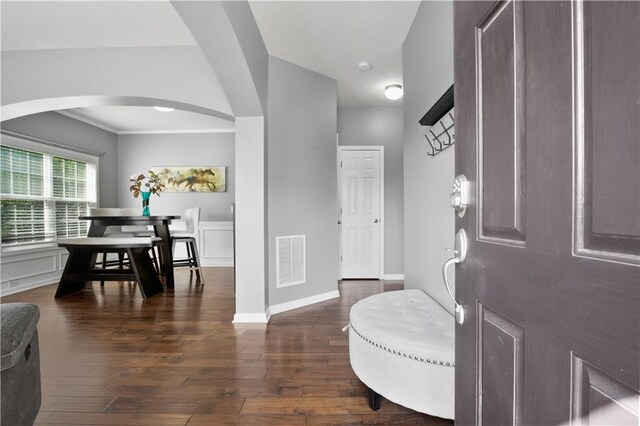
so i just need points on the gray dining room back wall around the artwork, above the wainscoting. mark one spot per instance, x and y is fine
(137, 153)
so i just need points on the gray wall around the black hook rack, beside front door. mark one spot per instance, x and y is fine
(427, 62)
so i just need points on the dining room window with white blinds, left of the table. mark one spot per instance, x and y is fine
(43, 191)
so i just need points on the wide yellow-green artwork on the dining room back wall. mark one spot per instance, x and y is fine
(193, 179)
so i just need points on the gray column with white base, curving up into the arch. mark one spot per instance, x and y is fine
(229, 38)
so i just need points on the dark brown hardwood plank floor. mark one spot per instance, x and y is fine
(108, 357)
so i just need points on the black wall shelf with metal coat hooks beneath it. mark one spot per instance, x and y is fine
(440, 117)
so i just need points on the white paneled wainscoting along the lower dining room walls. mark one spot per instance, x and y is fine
(34, 267)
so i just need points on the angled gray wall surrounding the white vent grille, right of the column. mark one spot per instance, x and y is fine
(301, 155)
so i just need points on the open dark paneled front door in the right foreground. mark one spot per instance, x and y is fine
(547, 99)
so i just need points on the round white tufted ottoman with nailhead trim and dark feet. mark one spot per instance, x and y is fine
(401, 345)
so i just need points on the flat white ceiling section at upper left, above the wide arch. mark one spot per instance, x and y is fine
(29, 25)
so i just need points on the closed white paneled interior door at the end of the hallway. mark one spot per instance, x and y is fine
(360, 212)
